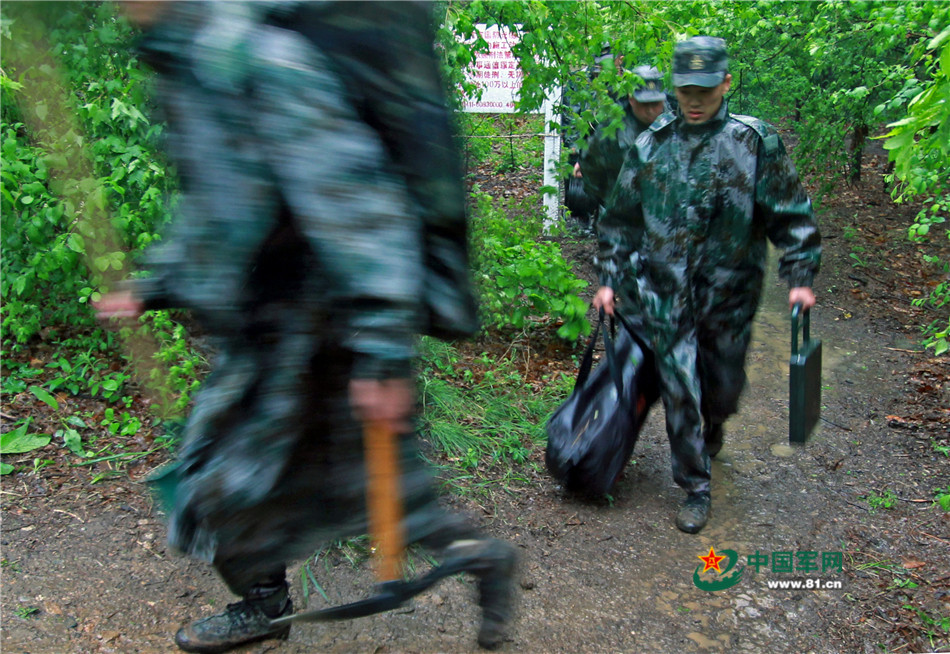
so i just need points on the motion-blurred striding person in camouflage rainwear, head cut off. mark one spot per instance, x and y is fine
(323, 228)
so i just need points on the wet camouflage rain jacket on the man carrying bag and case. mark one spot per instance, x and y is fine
(684, 236)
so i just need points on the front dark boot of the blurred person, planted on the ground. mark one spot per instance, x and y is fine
(243, 622)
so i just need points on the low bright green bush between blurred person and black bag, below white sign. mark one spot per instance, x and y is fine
(521, 280)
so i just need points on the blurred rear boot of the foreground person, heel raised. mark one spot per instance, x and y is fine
(495, 564)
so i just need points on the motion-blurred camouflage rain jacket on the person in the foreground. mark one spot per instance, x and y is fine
(252, 139)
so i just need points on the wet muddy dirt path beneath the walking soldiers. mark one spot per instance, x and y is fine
(595, 577)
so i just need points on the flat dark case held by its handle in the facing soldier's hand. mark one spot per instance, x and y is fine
(804, 406)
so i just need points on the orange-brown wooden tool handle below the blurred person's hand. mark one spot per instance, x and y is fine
(383, 499)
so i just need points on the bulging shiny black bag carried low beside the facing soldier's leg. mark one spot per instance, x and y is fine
(592, 434)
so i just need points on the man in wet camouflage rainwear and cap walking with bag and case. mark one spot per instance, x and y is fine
(683, 241)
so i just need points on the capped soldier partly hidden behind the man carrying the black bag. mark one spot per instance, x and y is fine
(601, 162)
